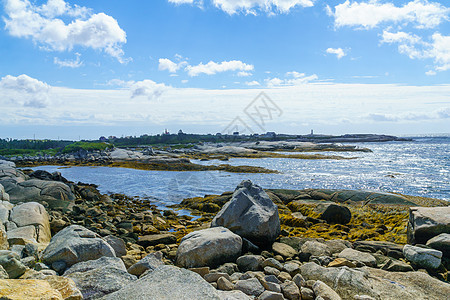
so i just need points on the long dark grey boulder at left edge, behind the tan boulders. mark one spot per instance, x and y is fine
(55, 193)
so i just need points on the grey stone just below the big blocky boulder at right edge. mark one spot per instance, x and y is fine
(423, 257)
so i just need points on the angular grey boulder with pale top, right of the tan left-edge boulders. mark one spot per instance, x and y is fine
(75, 244)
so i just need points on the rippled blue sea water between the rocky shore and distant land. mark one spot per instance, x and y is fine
(420, 167)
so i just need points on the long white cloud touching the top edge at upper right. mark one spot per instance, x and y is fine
(366, 15)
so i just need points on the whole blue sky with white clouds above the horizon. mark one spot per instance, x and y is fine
(83, 69)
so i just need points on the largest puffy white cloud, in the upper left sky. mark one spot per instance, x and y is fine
(46, 26)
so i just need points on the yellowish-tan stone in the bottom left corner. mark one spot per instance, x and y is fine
(17, 289)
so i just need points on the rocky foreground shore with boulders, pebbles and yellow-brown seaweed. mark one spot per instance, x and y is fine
(64, 240)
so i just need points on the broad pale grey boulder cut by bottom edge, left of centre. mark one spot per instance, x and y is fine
(167, 282)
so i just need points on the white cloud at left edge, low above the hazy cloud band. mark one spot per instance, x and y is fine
(25, 90)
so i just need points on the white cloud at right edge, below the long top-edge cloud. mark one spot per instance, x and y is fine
(415, 47)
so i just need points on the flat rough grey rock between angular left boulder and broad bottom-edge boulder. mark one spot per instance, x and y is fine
(99, 282)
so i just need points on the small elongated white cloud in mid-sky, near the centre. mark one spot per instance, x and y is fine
(212, 68)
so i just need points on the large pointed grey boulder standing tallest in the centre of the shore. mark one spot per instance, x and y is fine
(251, 214)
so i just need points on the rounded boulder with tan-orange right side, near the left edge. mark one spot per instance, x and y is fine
(34, 215)
